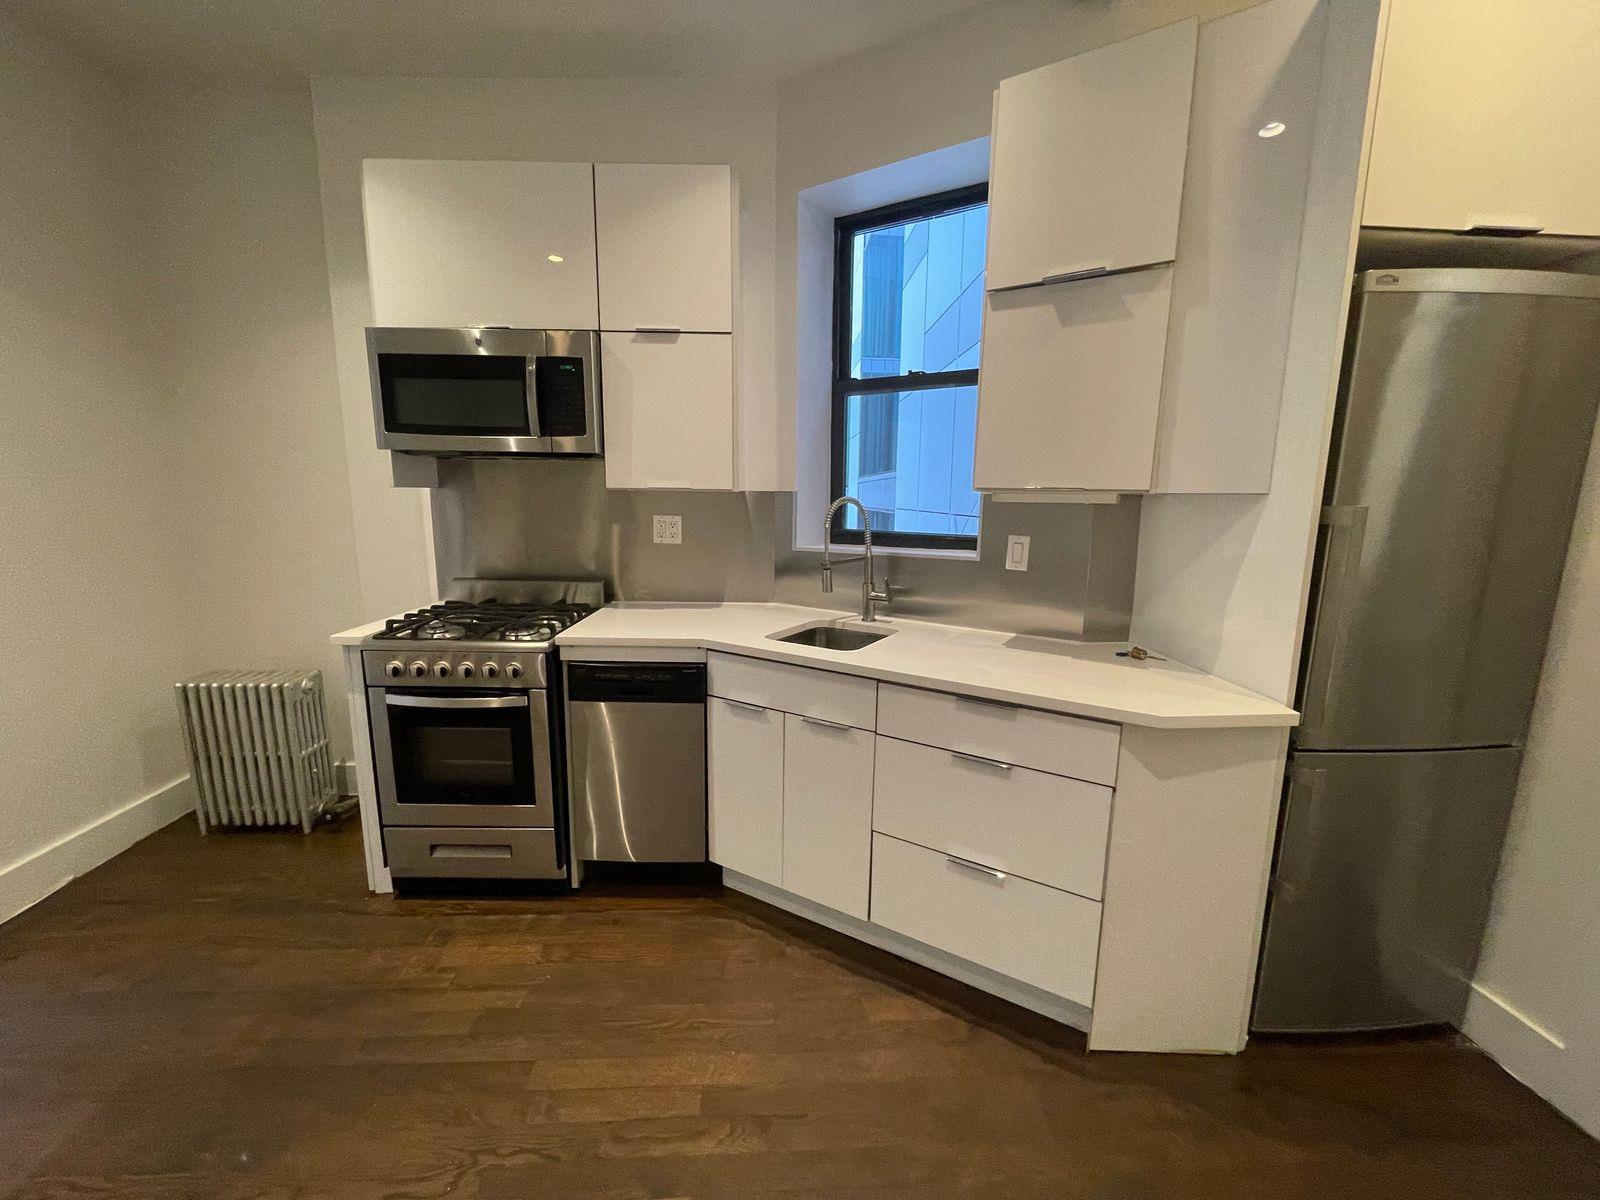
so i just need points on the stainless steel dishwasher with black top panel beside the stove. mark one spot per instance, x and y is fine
(636, 761)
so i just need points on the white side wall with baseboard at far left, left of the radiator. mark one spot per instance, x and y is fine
(90, 550)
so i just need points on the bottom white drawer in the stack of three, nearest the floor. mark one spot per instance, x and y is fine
(1012, 926)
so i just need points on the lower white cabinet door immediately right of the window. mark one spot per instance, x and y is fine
(1071, 385)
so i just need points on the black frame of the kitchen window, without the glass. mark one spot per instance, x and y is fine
(844, 386)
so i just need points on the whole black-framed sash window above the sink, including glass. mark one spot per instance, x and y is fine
(908, 306)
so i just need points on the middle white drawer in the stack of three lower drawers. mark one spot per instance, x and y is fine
(1026, 823)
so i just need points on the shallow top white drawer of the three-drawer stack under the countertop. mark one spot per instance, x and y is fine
(1046, 742)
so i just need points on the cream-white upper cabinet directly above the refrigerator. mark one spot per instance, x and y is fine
(1487, 118)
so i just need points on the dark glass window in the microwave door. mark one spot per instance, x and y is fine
(455, 394)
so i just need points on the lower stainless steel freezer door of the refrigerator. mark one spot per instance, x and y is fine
(1382, 889)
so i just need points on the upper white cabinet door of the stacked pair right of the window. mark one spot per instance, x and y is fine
(1089, 161)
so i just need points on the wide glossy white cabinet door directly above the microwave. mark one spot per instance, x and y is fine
(455, 244)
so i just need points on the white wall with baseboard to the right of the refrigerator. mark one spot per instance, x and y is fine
(1537, 1002)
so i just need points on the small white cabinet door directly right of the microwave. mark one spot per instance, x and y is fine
(668, 410)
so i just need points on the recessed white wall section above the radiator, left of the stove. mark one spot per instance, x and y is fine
(236, 326)
